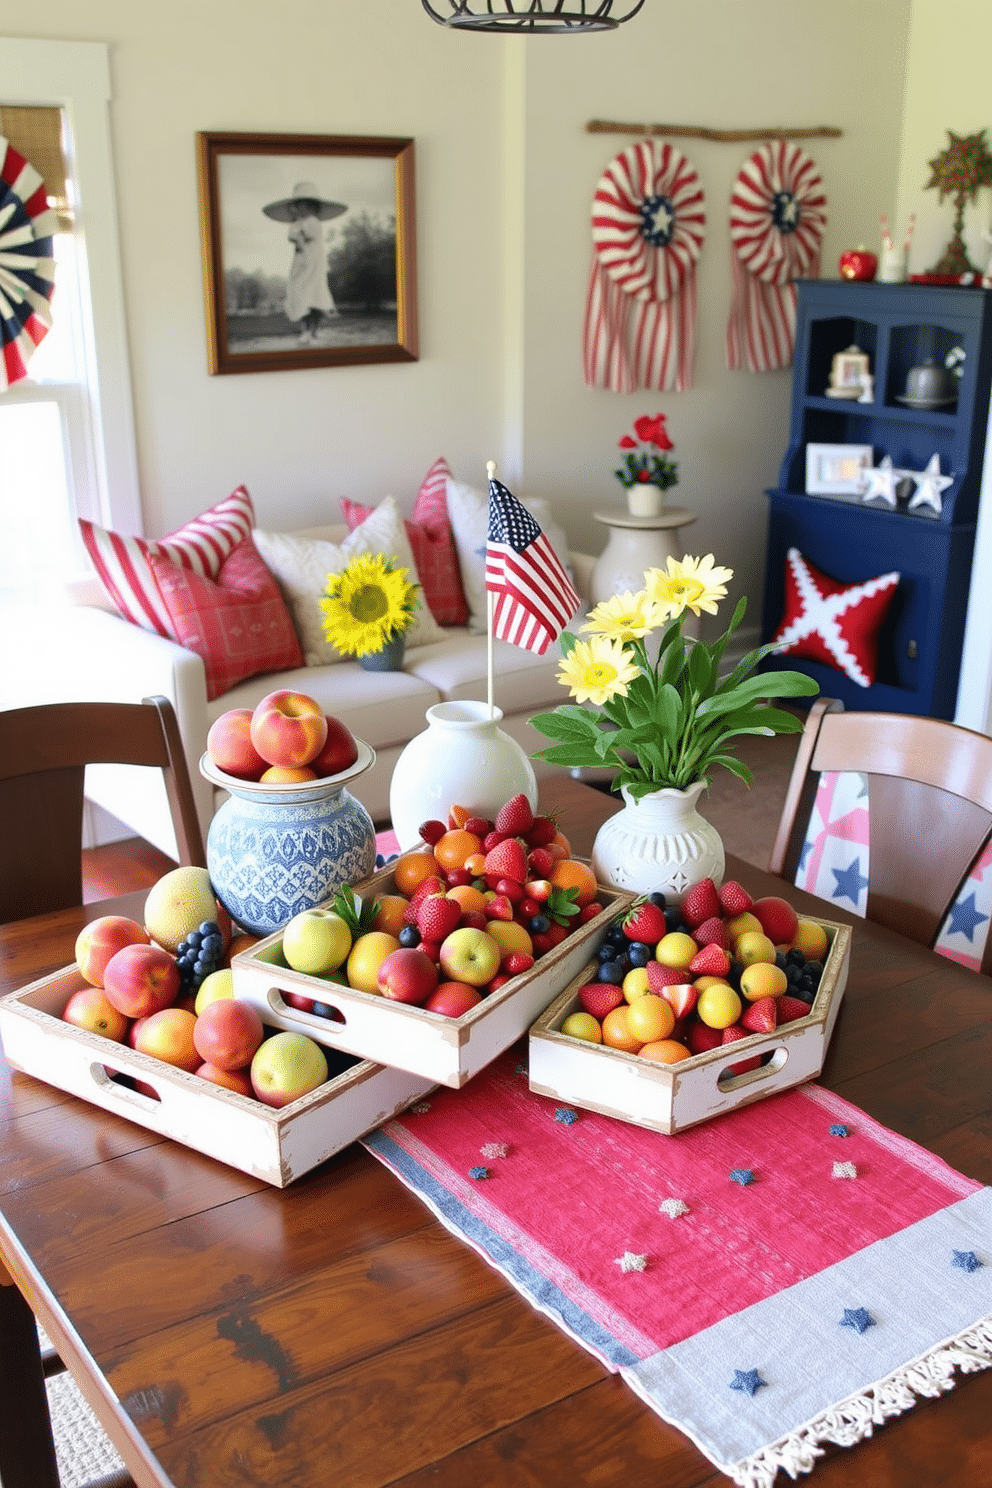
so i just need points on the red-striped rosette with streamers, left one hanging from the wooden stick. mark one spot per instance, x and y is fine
(648, 233)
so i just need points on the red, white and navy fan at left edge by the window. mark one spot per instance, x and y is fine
(28, 267)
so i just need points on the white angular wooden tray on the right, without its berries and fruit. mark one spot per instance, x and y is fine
(673, 1097)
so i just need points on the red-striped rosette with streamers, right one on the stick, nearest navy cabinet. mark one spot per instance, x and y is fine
(777, 222)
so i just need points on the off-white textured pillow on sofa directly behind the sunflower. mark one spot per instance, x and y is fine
(303, 565)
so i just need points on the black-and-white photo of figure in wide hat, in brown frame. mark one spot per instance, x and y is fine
(310, 252)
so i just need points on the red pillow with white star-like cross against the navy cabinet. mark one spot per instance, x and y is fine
(834, 623)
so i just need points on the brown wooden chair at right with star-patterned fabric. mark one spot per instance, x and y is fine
(892, 816)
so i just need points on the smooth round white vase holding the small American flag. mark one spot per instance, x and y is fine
(463, 758)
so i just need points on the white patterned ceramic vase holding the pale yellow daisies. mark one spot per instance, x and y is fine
(660, 843)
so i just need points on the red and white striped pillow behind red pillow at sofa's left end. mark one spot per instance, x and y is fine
(202, 545)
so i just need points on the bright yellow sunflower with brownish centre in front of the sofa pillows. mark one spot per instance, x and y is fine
(368, 605)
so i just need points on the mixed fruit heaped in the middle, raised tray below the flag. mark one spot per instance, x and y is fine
(477, 905)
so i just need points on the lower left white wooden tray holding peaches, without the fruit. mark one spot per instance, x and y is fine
(277, 1147)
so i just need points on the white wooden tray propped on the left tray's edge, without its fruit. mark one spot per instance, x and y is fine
(447, 1051)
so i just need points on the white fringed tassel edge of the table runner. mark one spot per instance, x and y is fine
(853, 1420)
